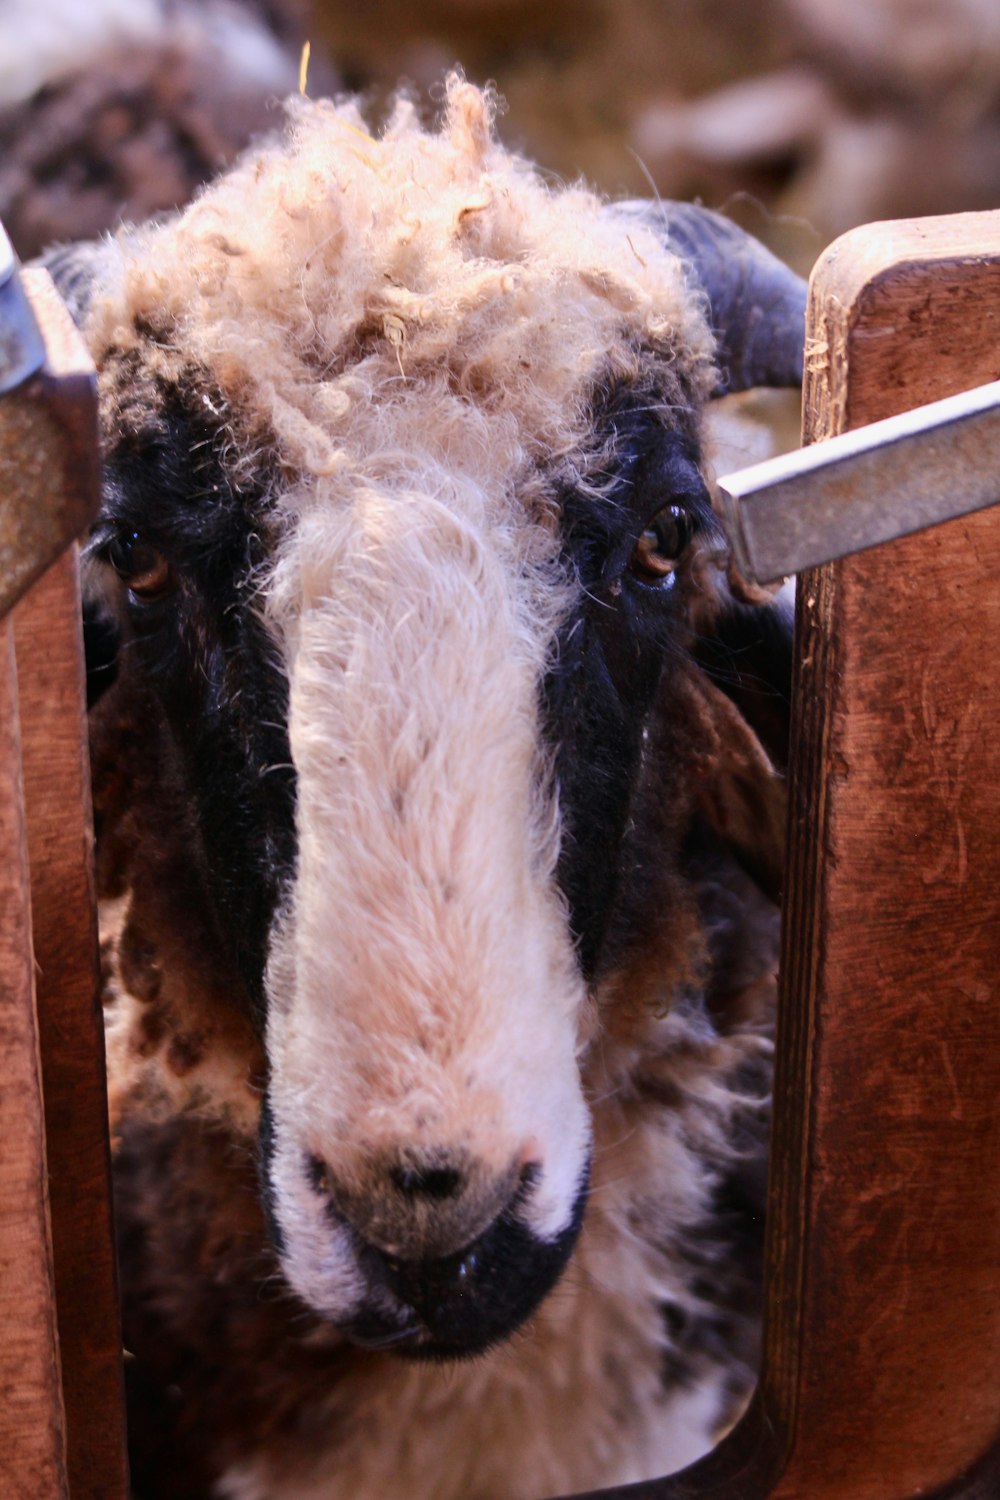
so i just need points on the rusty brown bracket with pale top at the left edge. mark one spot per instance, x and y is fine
(49, 428)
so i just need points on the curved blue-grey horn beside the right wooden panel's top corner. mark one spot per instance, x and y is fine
(756, 302)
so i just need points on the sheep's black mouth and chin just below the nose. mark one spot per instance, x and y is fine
(466, 1304)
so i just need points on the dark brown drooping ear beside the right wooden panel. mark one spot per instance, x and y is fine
(747, 689)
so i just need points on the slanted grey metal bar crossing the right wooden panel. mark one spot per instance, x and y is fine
(867, 487)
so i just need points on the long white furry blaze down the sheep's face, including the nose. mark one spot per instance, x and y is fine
(425, 1003)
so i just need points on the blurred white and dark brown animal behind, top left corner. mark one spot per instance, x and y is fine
(124, 109)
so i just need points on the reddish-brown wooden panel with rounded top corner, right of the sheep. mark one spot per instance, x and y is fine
(882, 1363)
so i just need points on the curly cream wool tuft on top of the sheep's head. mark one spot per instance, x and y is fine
(329, 268)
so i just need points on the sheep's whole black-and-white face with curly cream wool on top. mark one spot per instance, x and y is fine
(409, 545)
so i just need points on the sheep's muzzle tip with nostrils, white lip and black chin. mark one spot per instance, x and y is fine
(433, 1256)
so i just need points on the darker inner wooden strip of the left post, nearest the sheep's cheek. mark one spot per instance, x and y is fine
(71, 1033)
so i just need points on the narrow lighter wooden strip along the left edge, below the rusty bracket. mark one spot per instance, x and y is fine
(32, 1445)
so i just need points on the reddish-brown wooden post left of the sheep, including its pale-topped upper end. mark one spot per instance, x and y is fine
(62, 1433)
